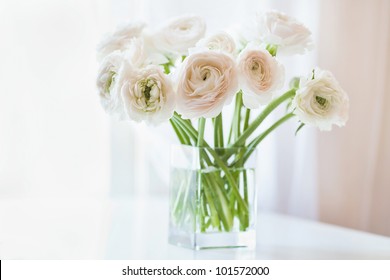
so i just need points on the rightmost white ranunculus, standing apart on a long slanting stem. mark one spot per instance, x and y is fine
(320, 101)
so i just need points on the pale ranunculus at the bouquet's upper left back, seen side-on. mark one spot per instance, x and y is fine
(119, 39)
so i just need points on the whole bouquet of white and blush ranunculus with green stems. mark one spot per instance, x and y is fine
(173, 72)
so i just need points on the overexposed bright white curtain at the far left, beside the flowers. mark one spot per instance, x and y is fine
(54, 137)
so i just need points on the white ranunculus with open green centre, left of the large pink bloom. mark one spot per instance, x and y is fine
(147, 93)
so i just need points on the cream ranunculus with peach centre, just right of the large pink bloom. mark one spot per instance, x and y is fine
(260, 76)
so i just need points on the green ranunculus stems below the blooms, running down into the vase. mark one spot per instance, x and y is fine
(222, 196)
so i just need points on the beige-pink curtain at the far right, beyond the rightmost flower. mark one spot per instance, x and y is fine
(355, 161)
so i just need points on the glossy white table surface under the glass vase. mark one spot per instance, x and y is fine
(138, 229)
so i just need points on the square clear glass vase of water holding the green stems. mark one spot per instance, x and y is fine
(212, 197)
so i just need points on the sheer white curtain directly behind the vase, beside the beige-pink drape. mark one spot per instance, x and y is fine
(287, 164)
